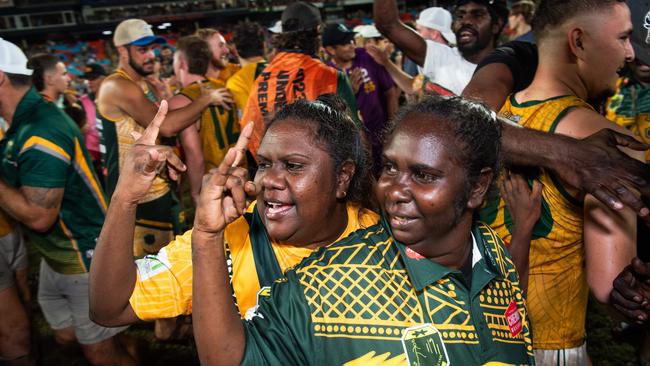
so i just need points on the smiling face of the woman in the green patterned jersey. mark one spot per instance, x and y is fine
(423, 186)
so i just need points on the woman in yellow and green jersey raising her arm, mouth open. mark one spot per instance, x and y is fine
(319, 197)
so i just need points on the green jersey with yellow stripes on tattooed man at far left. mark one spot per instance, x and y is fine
(43, 148)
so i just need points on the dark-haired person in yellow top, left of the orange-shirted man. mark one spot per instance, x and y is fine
(248, 38)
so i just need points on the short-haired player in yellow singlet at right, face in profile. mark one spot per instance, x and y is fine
(579, 244)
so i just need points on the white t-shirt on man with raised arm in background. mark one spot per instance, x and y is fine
(446, 67)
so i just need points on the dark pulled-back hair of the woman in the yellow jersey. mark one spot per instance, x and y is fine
(340, 137)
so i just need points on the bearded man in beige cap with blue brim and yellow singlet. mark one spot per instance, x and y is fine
(126, 103)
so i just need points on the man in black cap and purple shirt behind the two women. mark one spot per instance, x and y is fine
(375, 91)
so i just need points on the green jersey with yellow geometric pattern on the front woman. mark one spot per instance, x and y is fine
(364, 301)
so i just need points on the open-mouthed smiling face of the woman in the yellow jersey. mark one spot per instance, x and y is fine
(299, 187)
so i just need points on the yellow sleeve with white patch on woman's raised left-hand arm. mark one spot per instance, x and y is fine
(163, 287)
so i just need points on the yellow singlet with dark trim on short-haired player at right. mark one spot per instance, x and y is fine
(557, 285)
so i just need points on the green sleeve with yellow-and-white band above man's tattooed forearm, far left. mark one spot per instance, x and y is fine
(44, 162)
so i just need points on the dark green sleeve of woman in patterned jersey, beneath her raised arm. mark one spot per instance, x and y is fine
(280, 332)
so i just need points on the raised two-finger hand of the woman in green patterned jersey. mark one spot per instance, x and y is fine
(223, 193)
